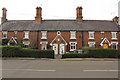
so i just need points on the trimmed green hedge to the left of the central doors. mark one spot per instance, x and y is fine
(10, 51)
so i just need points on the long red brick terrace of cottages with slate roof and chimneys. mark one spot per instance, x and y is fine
(61, 35)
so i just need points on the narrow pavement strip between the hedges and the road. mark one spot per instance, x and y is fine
(66, 59)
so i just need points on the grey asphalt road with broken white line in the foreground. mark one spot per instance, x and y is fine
(59, 69)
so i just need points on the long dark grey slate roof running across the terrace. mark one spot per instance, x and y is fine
(66, 25)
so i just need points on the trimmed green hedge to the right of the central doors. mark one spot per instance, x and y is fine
(94, 53)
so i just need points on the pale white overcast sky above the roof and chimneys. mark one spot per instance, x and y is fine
(60, 9)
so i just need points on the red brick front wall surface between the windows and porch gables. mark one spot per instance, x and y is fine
(66, 35)
